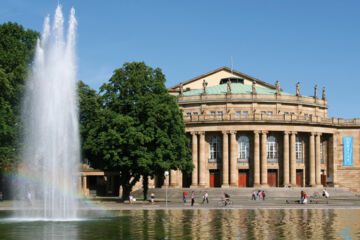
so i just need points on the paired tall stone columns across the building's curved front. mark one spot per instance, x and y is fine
(230, 170)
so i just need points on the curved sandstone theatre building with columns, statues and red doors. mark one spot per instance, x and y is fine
(248, 133)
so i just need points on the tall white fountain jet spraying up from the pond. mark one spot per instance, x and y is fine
(50, 166)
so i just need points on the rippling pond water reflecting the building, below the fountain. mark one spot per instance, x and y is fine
(192, 224)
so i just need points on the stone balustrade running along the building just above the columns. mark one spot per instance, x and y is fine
(272, 118)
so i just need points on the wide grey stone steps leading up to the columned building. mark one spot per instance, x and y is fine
(175, 194)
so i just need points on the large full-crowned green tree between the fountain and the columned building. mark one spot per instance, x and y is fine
(139, 129)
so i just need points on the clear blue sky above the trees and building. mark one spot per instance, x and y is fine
(311, 42)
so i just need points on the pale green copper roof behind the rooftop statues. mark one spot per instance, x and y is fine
(236, 88)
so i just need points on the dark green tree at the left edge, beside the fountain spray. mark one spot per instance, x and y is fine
(17, 47)
